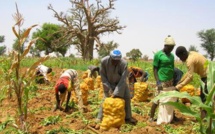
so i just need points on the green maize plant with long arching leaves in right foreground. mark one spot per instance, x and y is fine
(208, 126)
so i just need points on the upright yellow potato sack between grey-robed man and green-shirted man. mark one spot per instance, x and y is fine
(140, 92)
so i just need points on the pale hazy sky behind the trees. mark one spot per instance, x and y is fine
(148, 21)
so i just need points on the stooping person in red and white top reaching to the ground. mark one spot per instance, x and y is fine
(67, 82)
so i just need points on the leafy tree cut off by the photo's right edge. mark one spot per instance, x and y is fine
(208, 42)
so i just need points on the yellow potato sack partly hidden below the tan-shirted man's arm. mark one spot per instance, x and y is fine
(190, 89)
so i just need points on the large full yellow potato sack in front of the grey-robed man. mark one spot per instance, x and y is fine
(113, 113)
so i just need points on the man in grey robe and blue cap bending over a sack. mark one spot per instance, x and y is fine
(114, 74)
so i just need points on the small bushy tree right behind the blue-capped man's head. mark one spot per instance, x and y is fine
(105, 48)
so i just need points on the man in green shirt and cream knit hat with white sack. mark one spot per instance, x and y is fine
(163, 67)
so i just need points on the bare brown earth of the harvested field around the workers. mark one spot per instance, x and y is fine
(41, 106)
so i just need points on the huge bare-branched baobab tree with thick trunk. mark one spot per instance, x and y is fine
(86, 23)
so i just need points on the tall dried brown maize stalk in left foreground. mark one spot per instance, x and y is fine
(21, 84)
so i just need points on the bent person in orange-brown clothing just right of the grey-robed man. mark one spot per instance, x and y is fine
(133, 74)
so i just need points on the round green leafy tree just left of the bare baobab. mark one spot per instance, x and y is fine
(52, 42)
